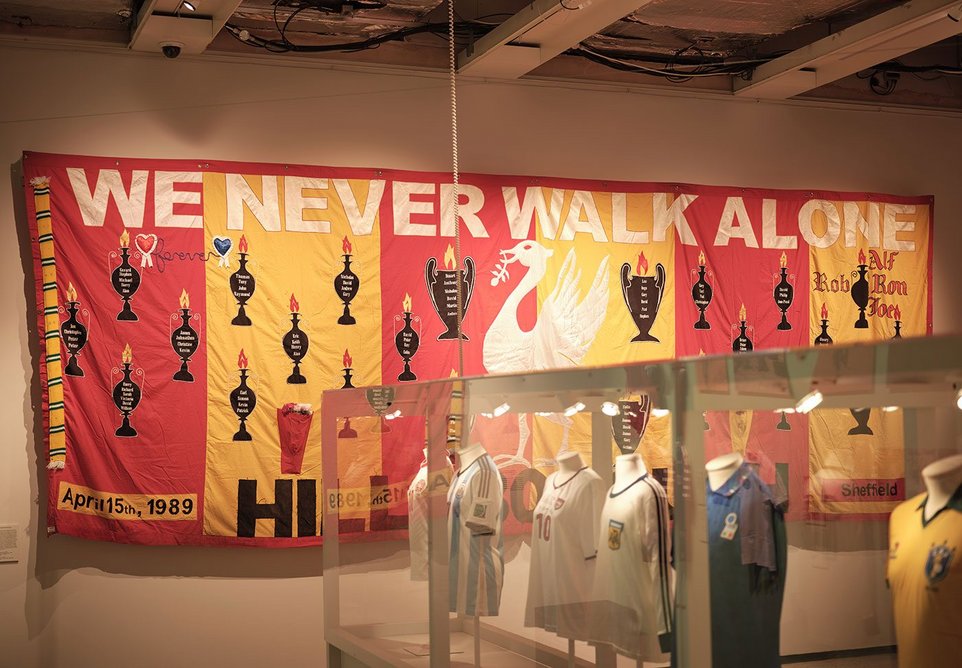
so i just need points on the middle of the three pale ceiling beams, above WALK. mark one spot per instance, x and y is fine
(539, 32)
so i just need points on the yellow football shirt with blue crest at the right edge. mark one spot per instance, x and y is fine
(925, 574)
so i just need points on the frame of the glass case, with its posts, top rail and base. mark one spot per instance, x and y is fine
(915, 375)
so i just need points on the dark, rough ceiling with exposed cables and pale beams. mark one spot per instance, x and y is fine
(889, 52)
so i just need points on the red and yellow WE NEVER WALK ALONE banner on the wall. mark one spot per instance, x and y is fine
(189, 309)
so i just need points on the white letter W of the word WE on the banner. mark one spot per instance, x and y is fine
(93, 206)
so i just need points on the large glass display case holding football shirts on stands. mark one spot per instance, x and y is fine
(575, 523)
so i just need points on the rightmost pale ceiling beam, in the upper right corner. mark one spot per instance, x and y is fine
(894, 33)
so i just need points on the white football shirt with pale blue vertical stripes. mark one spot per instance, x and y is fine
(476, 565)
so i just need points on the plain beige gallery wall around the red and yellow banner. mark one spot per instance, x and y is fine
(78, 604)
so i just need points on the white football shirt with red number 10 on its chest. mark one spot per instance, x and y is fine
(564, 541)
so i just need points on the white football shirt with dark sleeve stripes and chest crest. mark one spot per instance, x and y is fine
(632, 591)
